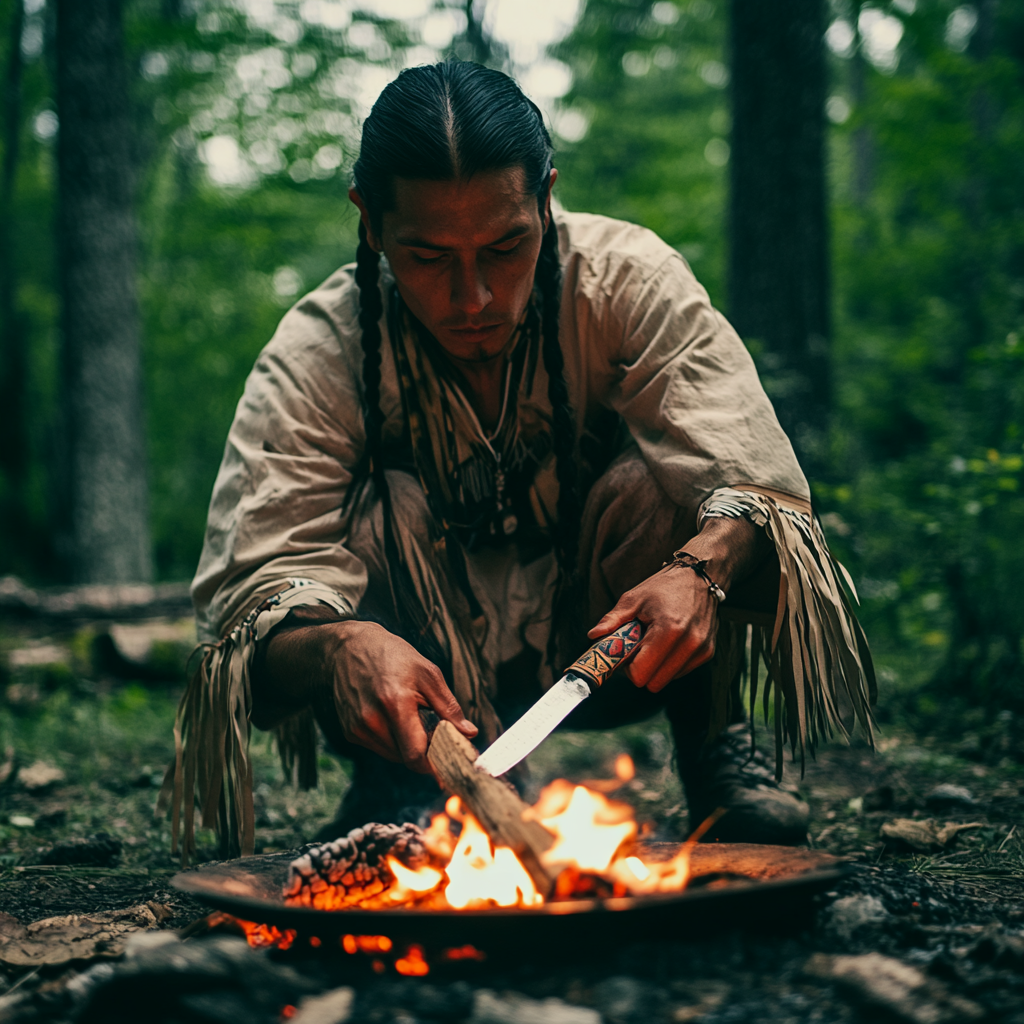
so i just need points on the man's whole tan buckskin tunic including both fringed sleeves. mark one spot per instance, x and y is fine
(650, 365)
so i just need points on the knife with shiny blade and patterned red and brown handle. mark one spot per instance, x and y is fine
(582, 679)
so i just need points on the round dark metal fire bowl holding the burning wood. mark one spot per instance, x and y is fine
(732, 884)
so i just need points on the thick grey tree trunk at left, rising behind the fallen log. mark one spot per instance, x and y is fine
(107, 494)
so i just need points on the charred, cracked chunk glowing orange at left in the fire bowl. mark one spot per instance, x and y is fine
(354, 869)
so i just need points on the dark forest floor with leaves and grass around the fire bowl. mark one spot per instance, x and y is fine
(925, 936)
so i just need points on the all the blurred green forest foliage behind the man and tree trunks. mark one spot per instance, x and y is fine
(247, 126)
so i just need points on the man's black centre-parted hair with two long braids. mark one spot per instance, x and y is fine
(443, 122)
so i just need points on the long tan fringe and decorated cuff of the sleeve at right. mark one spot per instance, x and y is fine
(816, 653)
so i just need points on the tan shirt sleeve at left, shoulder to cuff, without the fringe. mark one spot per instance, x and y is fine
(276, 515)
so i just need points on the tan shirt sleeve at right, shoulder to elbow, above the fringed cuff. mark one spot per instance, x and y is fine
(654, 349)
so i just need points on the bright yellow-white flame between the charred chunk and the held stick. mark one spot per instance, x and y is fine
(480, 875)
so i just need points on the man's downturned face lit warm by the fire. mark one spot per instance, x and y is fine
(463, 254)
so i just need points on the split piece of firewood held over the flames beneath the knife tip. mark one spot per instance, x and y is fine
(495, 804)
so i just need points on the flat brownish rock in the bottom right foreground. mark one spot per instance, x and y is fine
(889, 985)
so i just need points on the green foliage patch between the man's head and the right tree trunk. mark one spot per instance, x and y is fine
(650, 79)
